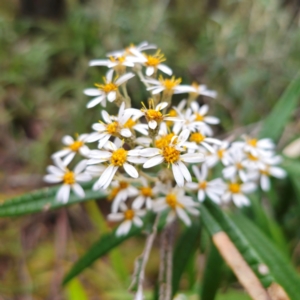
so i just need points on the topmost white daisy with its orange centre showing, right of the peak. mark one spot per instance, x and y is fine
(153, 63)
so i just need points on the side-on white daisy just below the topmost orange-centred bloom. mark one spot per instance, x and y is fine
(168, 86)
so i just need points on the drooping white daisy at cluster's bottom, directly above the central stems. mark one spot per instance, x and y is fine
(179, 204)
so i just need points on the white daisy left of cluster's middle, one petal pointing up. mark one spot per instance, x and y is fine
(115, 126)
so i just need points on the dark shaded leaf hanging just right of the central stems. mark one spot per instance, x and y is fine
(185, 248)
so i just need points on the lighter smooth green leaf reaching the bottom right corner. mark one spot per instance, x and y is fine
(279, 266)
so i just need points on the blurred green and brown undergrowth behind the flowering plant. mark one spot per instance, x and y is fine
(246, 50)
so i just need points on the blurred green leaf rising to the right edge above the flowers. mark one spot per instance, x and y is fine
(279, 116)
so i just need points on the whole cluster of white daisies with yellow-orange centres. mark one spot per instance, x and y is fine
(160, 156)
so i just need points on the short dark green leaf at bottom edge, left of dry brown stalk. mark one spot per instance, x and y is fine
(212, 274)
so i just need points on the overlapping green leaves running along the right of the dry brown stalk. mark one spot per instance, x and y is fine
(256, 249)
